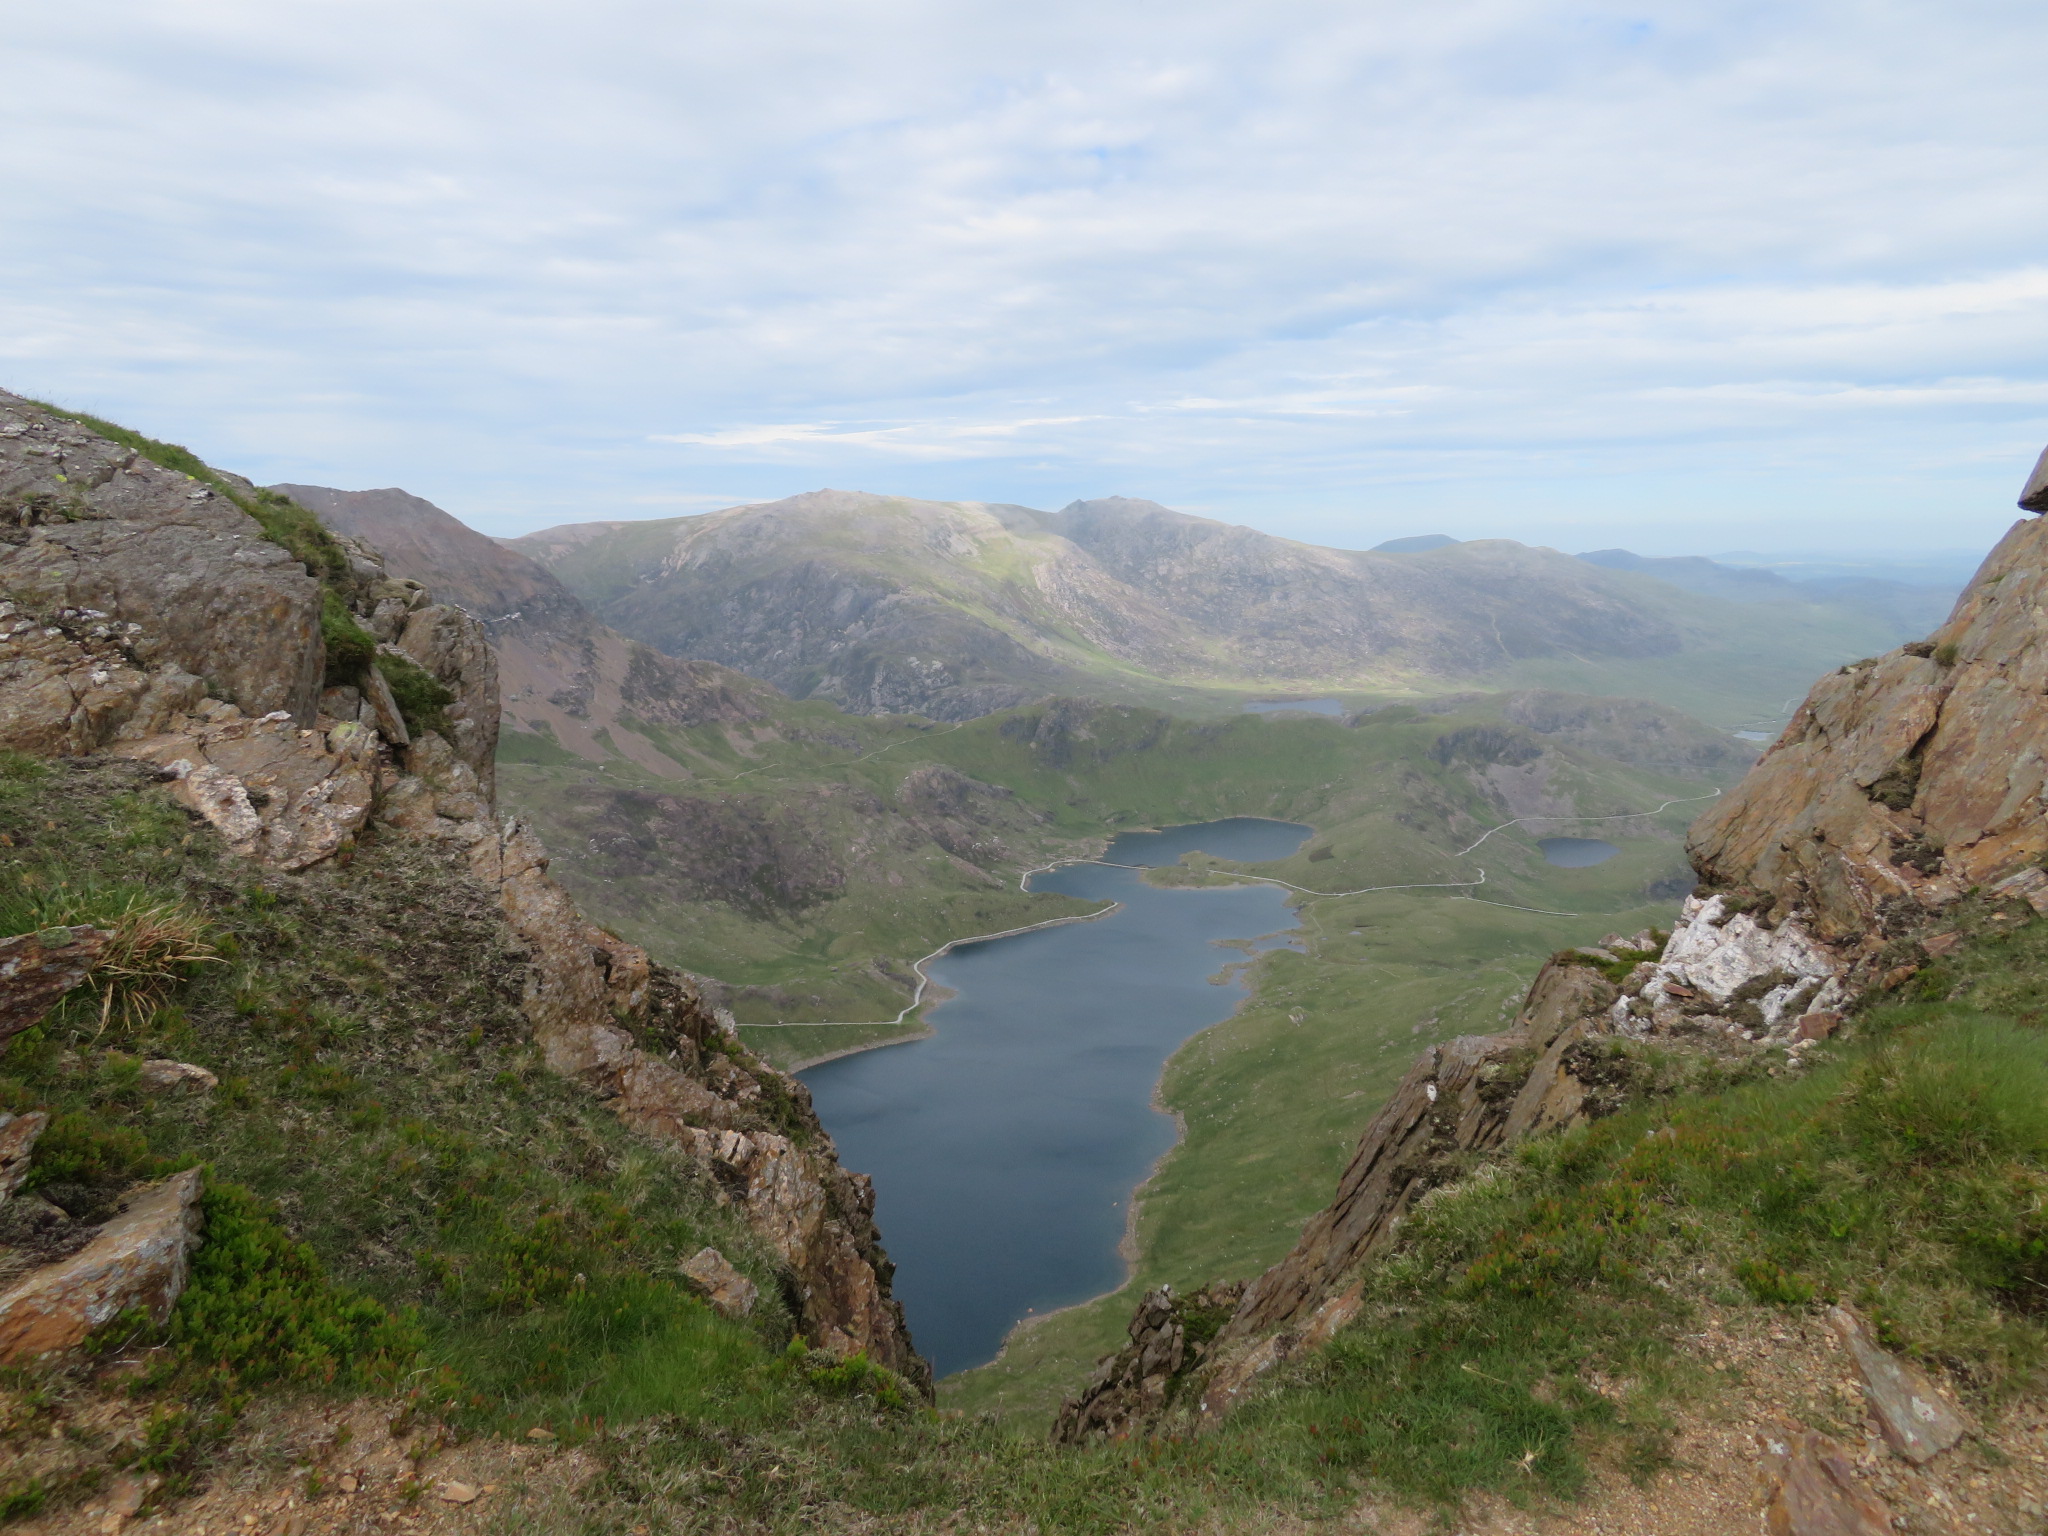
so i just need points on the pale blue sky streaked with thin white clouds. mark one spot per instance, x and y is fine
(1670, 278)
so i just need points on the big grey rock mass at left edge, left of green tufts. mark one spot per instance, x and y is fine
(132, 589)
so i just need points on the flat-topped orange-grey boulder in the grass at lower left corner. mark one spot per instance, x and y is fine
(140, 1258)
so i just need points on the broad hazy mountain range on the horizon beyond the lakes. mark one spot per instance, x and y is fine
(955, 609)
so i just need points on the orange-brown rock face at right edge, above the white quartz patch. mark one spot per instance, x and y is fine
(1908, 779)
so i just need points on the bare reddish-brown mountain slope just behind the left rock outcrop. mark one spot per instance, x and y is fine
(560, 671)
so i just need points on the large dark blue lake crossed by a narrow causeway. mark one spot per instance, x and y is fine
(1005, 1150)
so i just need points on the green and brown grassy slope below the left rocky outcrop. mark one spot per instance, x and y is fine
(372, 1213)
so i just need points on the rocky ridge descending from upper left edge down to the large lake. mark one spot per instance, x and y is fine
(146, 615)
